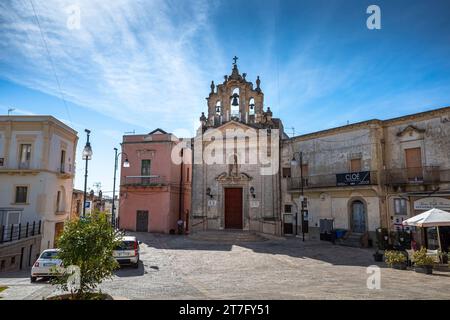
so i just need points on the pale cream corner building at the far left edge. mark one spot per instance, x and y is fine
(37, 167)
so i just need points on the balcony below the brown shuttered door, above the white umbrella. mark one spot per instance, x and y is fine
(419, 175)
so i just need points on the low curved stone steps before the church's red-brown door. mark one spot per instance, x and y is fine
(227, 236)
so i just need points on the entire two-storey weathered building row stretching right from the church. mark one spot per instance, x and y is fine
(369, 175)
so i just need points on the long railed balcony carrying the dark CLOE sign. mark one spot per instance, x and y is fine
(332, 180)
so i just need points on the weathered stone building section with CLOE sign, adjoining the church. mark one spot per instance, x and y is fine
(340, 169)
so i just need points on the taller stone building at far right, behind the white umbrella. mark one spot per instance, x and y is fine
(416, 160)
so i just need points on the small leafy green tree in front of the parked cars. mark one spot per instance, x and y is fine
(88, 244)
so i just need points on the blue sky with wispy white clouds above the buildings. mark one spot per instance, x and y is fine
(133, 66)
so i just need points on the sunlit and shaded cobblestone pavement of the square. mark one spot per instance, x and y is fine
(175, 267)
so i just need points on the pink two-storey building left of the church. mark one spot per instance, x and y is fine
(155, 190)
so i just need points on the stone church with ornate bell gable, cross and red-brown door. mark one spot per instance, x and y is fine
(236, 160)
